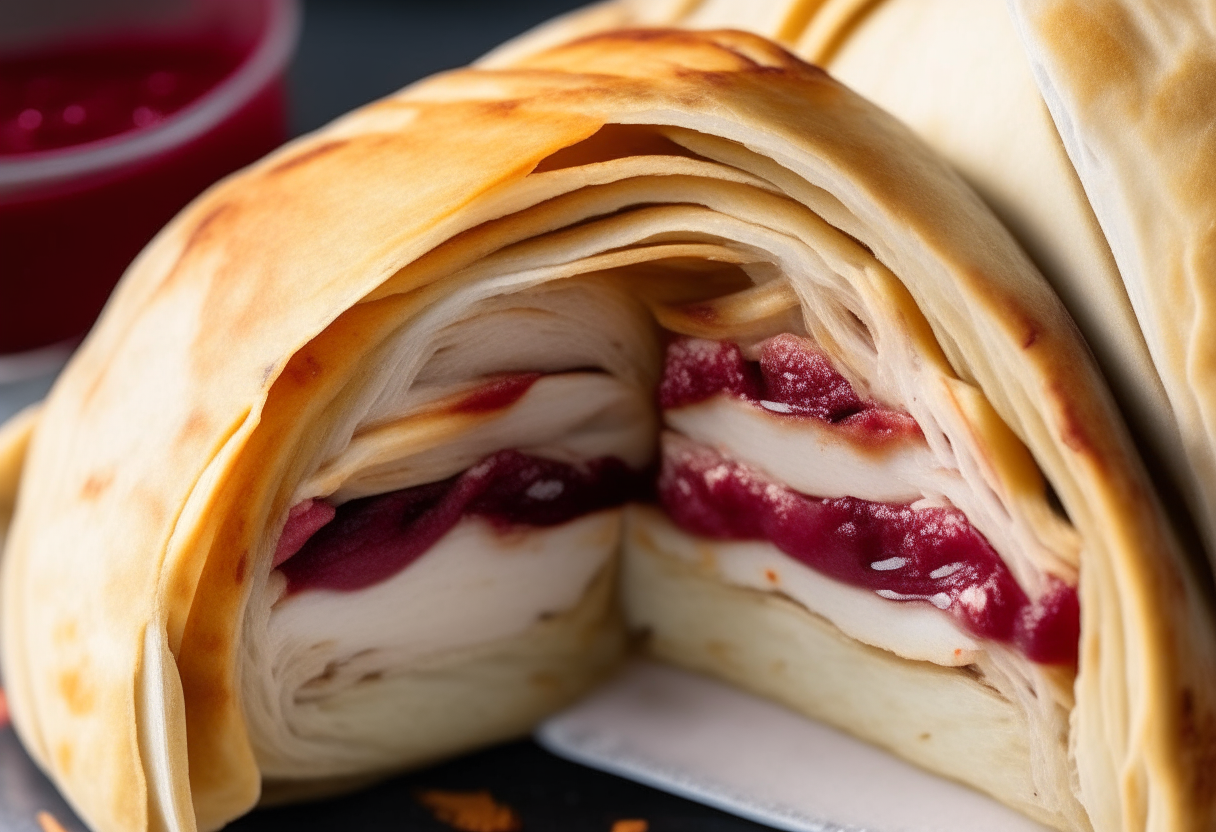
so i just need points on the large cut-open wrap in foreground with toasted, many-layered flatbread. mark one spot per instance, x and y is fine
(367, 312)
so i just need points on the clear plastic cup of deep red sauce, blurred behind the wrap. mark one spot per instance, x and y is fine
(106, 131)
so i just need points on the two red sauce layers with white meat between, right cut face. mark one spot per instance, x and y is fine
(849, 502)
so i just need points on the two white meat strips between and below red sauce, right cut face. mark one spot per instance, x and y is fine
(823, 460)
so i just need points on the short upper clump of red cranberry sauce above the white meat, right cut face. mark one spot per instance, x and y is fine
(792, 378)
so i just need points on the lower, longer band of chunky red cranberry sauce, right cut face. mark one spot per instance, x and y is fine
(903, 554)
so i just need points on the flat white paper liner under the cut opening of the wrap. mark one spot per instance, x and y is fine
(713, 744)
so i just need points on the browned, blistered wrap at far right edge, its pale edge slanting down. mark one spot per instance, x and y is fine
(1131, 88)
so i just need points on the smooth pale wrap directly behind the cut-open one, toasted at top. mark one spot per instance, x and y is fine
(959, 75)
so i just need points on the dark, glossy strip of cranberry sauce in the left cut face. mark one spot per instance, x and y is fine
(373, 539)
